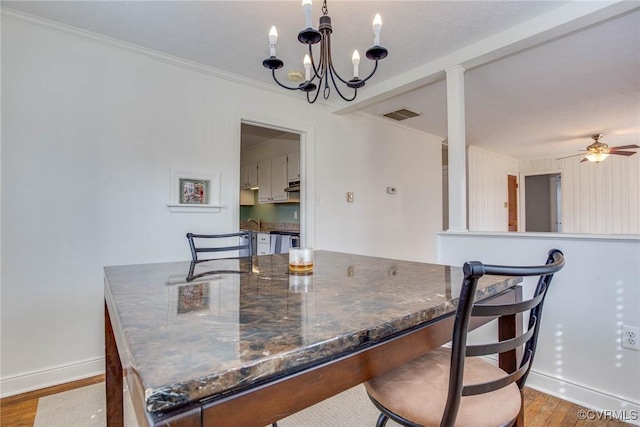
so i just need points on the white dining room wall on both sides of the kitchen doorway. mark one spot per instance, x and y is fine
(90, 130)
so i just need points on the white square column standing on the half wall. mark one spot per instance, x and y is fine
(457, 149)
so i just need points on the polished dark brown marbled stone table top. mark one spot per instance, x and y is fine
(224, 332)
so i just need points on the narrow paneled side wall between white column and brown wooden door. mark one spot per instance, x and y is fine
(487, 187)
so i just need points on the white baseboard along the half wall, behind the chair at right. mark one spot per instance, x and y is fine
(587, 397)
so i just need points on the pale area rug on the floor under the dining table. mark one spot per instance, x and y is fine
(85, 407)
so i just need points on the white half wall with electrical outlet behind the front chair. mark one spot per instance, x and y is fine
(579, 357)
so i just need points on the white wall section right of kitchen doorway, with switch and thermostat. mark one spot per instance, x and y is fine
(365, 167)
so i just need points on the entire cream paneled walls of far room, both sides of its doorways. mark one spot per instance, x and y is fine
(597, 198)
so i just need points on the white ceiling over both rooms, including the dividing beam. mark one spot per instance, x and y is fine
(541, 75)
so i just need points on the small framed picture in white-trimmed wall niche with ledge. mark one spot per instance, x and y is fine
(194, 191)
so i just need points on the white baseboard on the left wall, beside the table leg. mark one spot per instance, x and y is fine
(50, 377)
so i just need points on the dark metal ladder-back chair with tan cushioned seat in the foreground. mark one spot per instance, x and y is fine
(448, 387)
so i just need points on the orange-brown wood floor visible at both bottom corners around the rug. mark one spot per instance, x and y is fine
(540, 409)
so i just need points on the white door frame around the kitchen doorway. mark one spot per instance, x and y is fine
(307, 174)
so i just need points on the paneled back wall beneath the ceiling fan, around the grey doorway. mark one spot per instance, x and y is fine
(597, 198)
